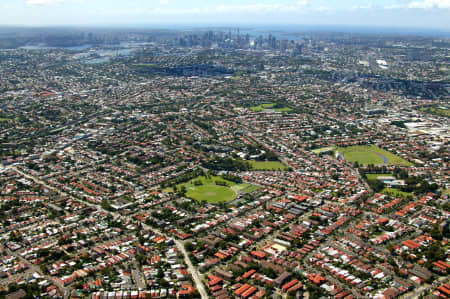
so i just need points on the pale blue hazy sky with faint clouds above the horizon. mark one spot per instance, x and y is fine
(424, 14)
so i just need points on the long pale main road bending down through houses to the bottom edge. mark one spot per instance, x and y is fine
(180, 246)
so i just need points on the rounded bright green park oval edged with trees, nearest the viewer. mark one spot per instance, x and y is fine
(208, 191)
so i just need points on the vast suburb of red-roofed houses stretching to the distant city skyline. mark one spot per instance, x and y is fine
(221, 165)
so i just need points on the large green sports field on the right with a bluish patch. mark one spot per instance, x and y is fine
(371, 154)
